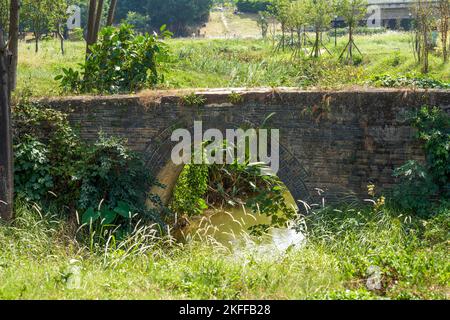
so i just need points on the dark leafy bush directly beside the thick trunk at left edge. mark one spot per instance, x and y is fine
(47, 150)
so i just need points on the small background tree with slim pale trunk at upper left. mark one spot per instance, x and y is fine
(35, 15)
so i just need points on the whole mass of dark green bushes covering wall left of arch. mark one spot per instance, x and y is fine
(54, 167)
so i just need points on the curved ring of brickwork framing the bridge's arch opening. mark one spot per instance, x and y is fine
(157, 156)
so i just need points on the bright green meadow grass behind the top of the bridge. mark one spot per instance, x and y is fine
(212, 63)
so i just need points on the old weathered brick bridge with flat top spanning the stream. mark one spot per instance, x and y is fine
(338, 142)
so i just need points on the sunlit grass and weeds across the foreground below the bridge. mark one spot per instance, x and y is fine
(40, 259)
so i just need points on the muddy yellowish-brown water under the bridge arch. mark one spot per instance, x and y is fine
(229, 227)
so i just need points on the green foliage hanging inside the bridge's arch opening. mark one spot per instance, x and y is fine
(210, 185)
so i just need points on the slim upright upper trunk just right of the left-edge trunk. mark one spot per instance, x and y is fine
(13, 44)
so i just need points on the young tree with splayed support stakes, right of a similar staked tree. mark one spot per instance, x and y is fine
(352, 11)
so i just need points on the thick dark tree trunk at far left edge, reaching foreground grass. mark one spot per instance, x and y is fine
(6, 154)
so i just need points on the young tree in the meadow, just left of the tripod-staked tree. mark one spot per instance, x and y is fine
(320, 14)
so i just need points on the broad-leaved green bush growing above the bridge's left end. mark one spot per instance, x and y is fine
(120, 62)
